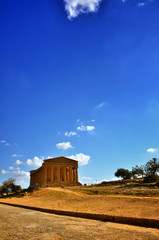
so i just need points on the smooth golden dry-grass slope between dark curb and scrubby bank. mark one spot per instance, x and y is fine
(73, 200)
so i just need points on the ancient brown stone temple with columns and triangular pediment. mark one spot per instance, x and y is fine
(54, 172)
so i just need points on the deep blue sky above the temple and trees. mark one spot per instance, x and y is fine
(57, 74)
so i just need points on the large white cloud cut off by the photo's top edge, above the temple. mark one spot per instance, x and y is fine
(76, 7)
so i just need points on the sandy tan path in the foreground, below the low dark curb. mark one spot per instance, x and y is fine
(18, 224)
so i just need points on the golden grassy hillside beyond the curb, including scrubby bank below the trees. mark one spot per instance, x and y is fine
(103, 200)
